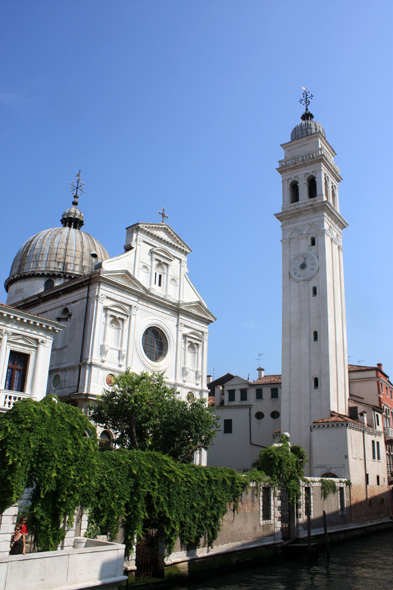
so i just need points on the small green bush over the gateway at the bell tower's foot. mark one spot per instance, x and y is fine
(284, 465)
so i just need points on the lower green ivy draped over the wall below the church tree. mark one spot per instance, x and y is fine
(149, 489)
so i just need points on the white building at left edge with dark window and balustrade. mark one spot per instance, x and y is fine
(25, 349)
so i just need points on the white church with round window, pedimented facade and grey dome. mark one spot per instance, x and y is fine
(138, 310)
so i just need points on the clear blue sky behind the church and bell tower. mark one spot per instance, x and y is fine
(184, 104)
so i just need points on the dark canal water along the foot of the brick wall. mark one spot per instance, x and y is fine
(362, 564)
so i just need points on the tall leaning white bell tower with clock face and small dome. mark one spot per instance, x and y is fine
(314, 338)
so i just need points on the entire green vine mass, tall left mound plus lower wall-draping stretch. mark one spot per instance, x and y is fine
(52, 448)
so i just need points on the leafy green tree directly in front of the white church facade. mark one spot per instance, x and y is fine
(145, 414)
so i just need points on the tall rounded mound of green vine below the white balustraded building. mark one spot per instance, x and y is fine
(51, 448)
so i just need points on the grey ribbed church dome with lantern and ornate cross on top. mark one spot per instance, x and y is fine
(65, 252)
